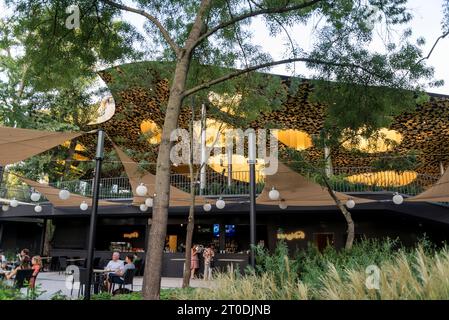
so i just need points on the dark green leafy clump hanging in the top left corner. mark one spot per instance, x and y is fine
(58, 55)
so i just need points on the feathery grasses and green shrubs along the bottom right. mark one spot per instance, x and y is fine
(405, 273)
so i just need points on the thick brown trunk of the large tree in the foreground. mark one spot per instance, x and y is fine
(158, 230)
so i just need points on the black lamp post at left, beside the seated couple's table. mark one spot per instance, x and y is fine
(93, 217)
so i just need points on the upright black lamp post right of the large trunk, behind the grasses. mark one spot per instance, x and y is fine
(252, 193)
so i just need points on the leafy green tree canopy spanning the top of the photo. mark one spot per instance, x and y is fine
(340, 57)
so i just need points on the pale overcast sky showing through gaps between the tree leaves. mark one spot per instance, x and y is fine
(426, 23)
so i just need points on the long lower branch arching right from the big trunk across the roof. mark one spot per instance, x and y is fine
(270, 64)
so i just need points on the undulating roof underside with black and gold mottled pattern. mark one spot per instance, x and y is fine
(140, 92)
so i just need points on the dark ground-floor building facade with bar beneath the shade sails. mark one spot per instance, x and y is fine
(124, 229)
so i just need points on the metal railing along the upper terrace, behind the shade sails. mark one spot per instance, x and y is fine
(351, 179)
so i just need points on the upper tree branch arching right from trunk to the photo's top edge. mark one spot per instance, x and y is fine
(254, 13)
